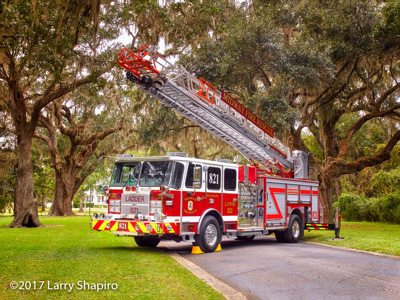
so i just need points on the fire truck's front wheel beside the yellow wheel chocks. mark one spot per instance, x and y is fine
(210, 235)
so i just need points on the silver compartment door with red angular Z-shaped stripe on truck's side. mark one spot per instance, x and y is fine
(275, 204)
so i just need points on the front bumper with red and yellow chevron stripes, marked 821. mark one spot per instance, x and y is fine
(134, 227)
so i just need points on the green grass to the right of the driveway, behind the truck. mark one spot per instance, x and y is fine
(367, 236)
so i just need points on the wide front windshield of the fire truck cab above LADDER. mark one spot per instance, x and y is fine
(153, 173)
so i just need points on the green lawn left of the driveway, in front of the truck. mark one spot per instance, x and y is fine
(72, 253)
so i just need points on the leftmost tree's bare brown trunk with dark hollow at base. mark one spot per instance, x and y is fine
(25, 204)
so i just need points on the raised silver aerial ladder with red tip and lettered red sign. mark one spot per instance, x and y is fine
(214, 110)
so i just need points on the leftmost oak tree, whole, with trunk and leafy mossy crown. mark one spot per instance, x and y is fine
(47, 50)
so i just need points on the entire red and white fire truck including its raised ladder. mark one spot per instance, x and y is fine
(198, 201)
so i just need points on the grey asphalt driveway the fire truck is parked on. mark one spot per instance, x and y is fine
(266, 269)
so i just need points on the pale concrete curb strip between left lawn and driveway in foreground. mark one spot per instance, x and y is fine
(227, 291)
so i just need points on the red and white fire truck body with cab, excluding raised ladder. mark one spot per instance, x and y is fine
(193, 200)
